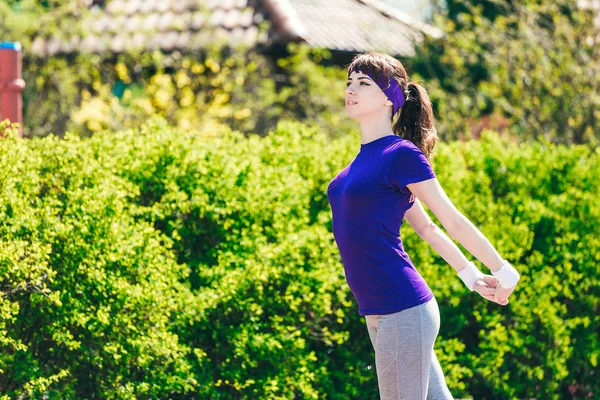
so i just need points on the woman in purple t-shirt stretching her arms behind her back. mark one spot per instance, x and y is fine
(385, 183)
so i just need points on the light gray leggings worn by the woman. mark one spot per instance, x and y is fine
(407, 368)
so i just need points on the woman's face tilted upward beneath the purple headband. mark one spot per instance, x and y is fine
(364, 98)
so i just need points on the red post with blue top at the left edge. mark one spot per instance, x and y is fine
(11, 84)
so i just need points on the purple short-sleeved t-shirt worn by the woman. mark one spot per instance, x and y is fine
(368, 201)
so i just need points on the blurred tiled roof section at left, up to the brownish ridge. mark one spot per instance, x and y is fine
(165, 24)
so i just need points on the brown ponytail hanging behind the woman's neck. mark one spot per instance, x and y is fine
(416, 120)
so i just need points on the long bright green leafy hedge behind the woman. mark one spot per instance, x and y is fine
(153, 263)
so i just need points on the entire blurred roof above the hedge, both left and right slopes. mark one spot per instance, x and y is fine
(349, 25)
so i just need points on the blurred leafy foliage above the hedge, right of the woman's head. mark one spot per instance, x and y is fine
(529, 67)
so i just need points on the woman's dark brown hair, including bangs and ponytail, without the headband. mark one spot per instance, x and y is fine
(415, 120)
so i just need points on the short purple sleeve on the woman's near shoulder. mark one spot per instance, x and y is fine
(409, 165)
